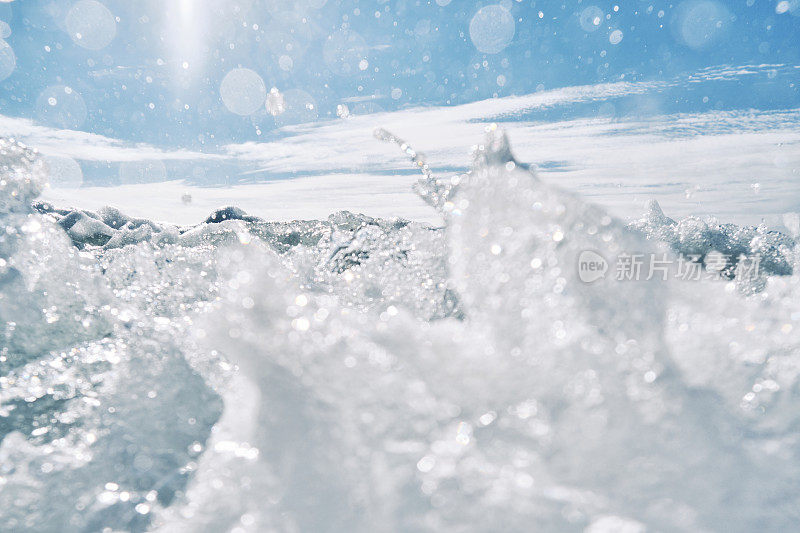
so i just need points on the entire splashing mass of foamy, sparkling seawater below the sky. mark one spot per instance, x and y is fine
(372, 375)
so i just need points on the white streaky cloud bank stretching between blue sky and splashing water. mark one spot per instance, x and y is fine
(698, 163)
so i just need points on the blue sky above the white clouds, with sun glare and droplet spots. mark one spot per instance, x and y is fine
(151, 70)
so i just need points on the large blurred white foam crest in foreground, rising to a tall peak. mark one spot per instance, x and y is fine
(552, 402)
